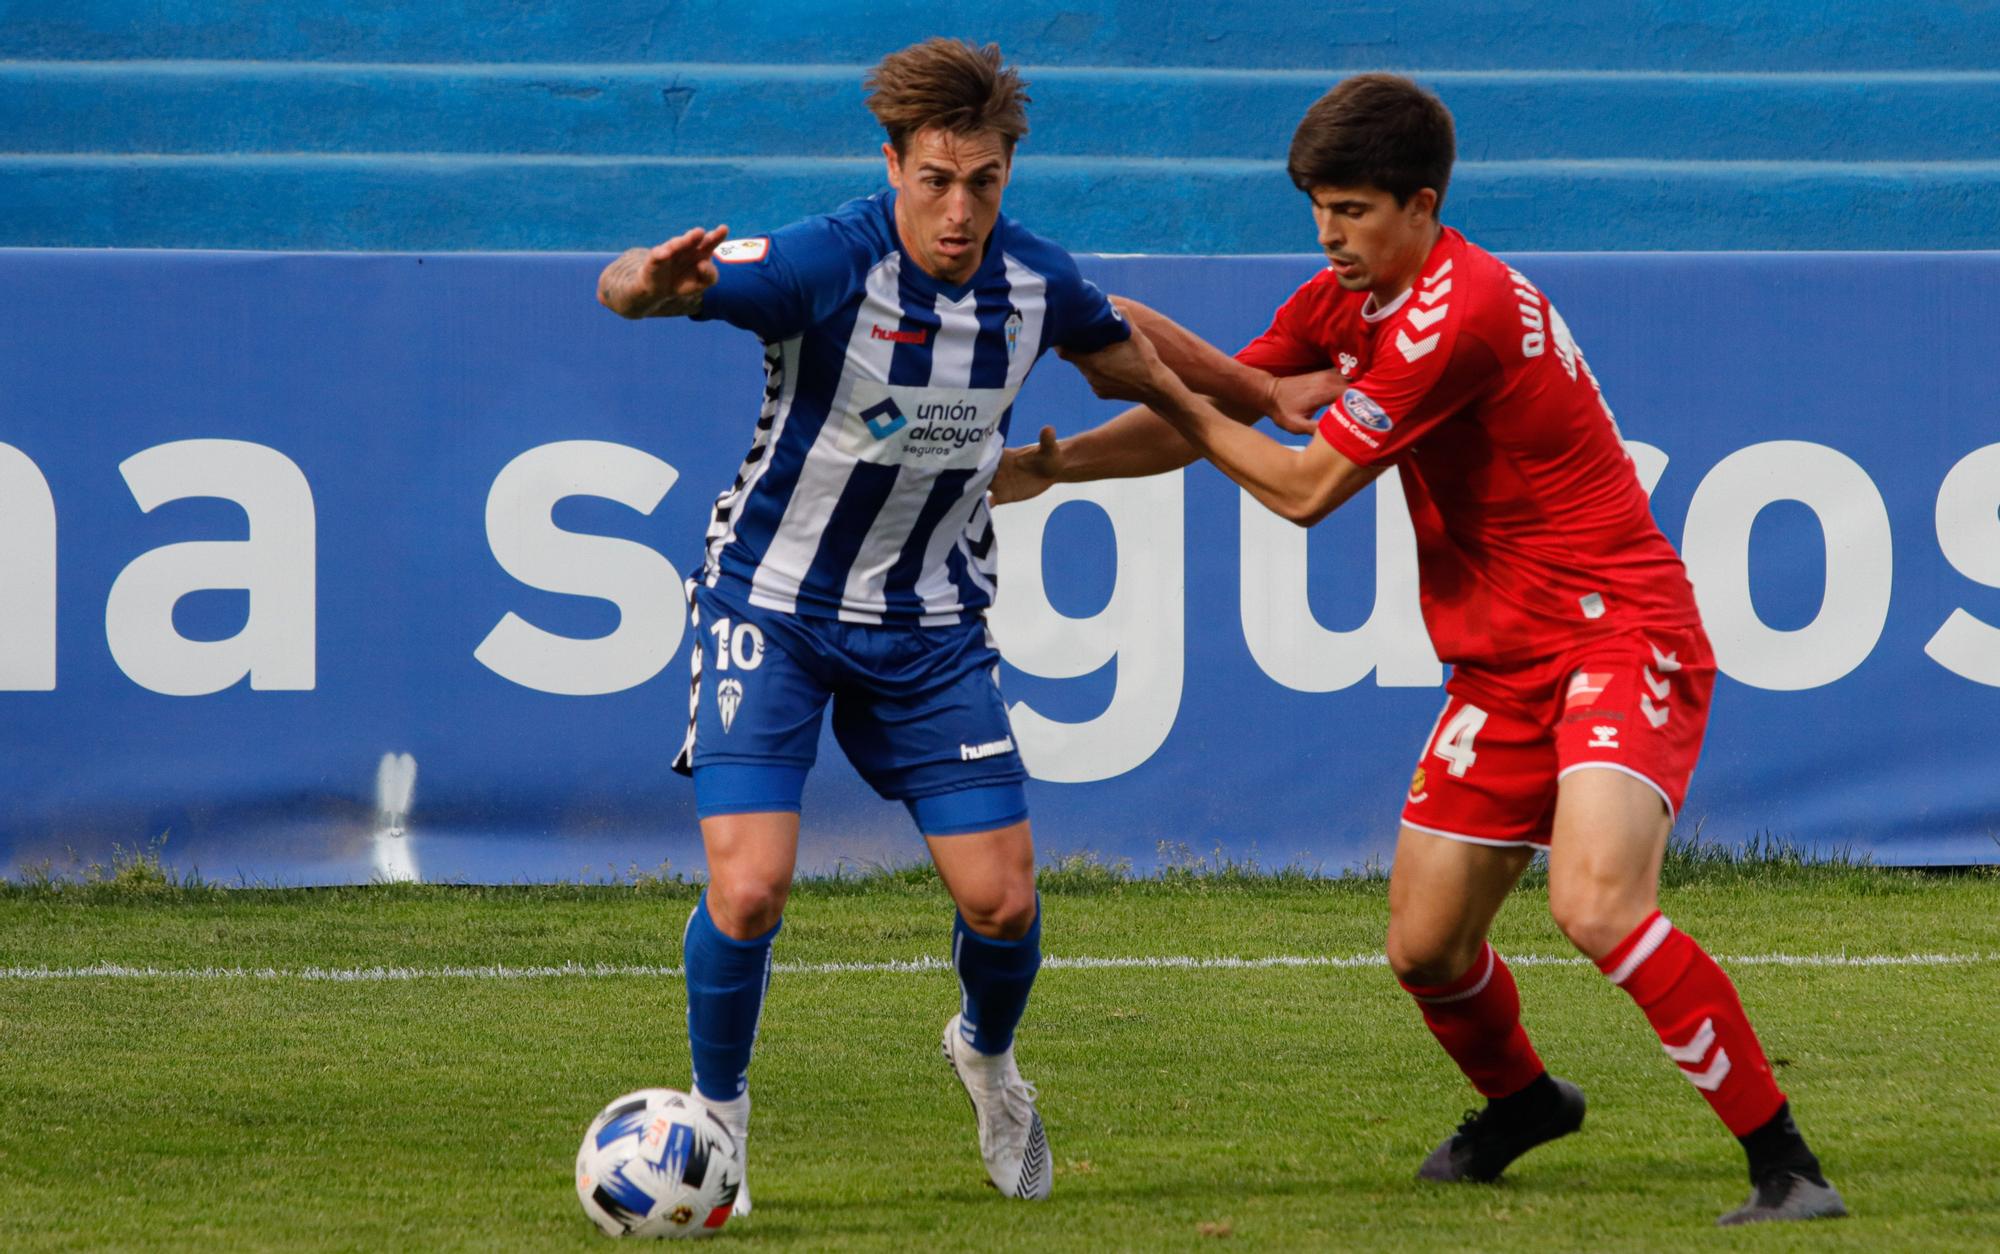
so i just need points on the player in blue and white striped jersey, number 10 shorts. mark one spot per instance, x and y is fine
(853, 559)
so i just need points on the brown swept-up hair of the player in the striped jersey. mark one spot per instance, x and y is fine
(949, 85)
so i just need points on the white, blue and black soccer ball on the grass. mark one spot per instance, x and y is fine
(657, 1163)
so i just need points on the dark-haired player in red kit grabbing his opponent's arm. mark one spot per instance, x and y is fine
(1581, 673)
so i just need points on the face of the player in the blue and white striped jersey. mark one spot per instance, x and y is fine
(947, 199)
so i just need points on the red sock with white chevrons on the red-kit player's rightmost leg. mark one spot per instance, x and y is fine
(1701, 1021)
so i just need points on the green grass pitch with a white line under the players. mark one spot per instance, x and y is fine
(1271, 1109)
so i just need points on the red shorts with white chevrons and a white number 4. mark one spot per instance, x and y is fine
(1635, 703)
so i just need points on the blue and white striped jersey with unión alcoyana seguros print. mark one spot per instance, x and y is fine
(887, 403)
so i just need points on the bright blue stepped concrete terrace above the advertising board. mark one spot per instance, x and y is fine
(1159, 127)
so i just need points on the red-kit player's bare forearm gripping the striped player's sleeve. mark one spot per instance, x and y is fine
(1297, 485)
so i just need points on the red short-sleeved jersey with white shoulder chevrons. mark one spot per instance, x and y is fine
(1533, 533)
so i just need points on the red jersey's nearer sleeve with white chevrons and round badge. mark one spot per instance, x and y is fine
(1423, 373)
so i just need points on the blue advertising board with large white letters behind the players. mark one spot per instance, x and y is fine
(333, 569)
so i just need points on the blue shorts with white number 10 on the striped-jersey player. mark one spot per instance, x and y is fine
(917, 709)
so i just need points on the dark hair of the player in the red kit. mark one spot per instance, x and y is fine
(1375, 131)
